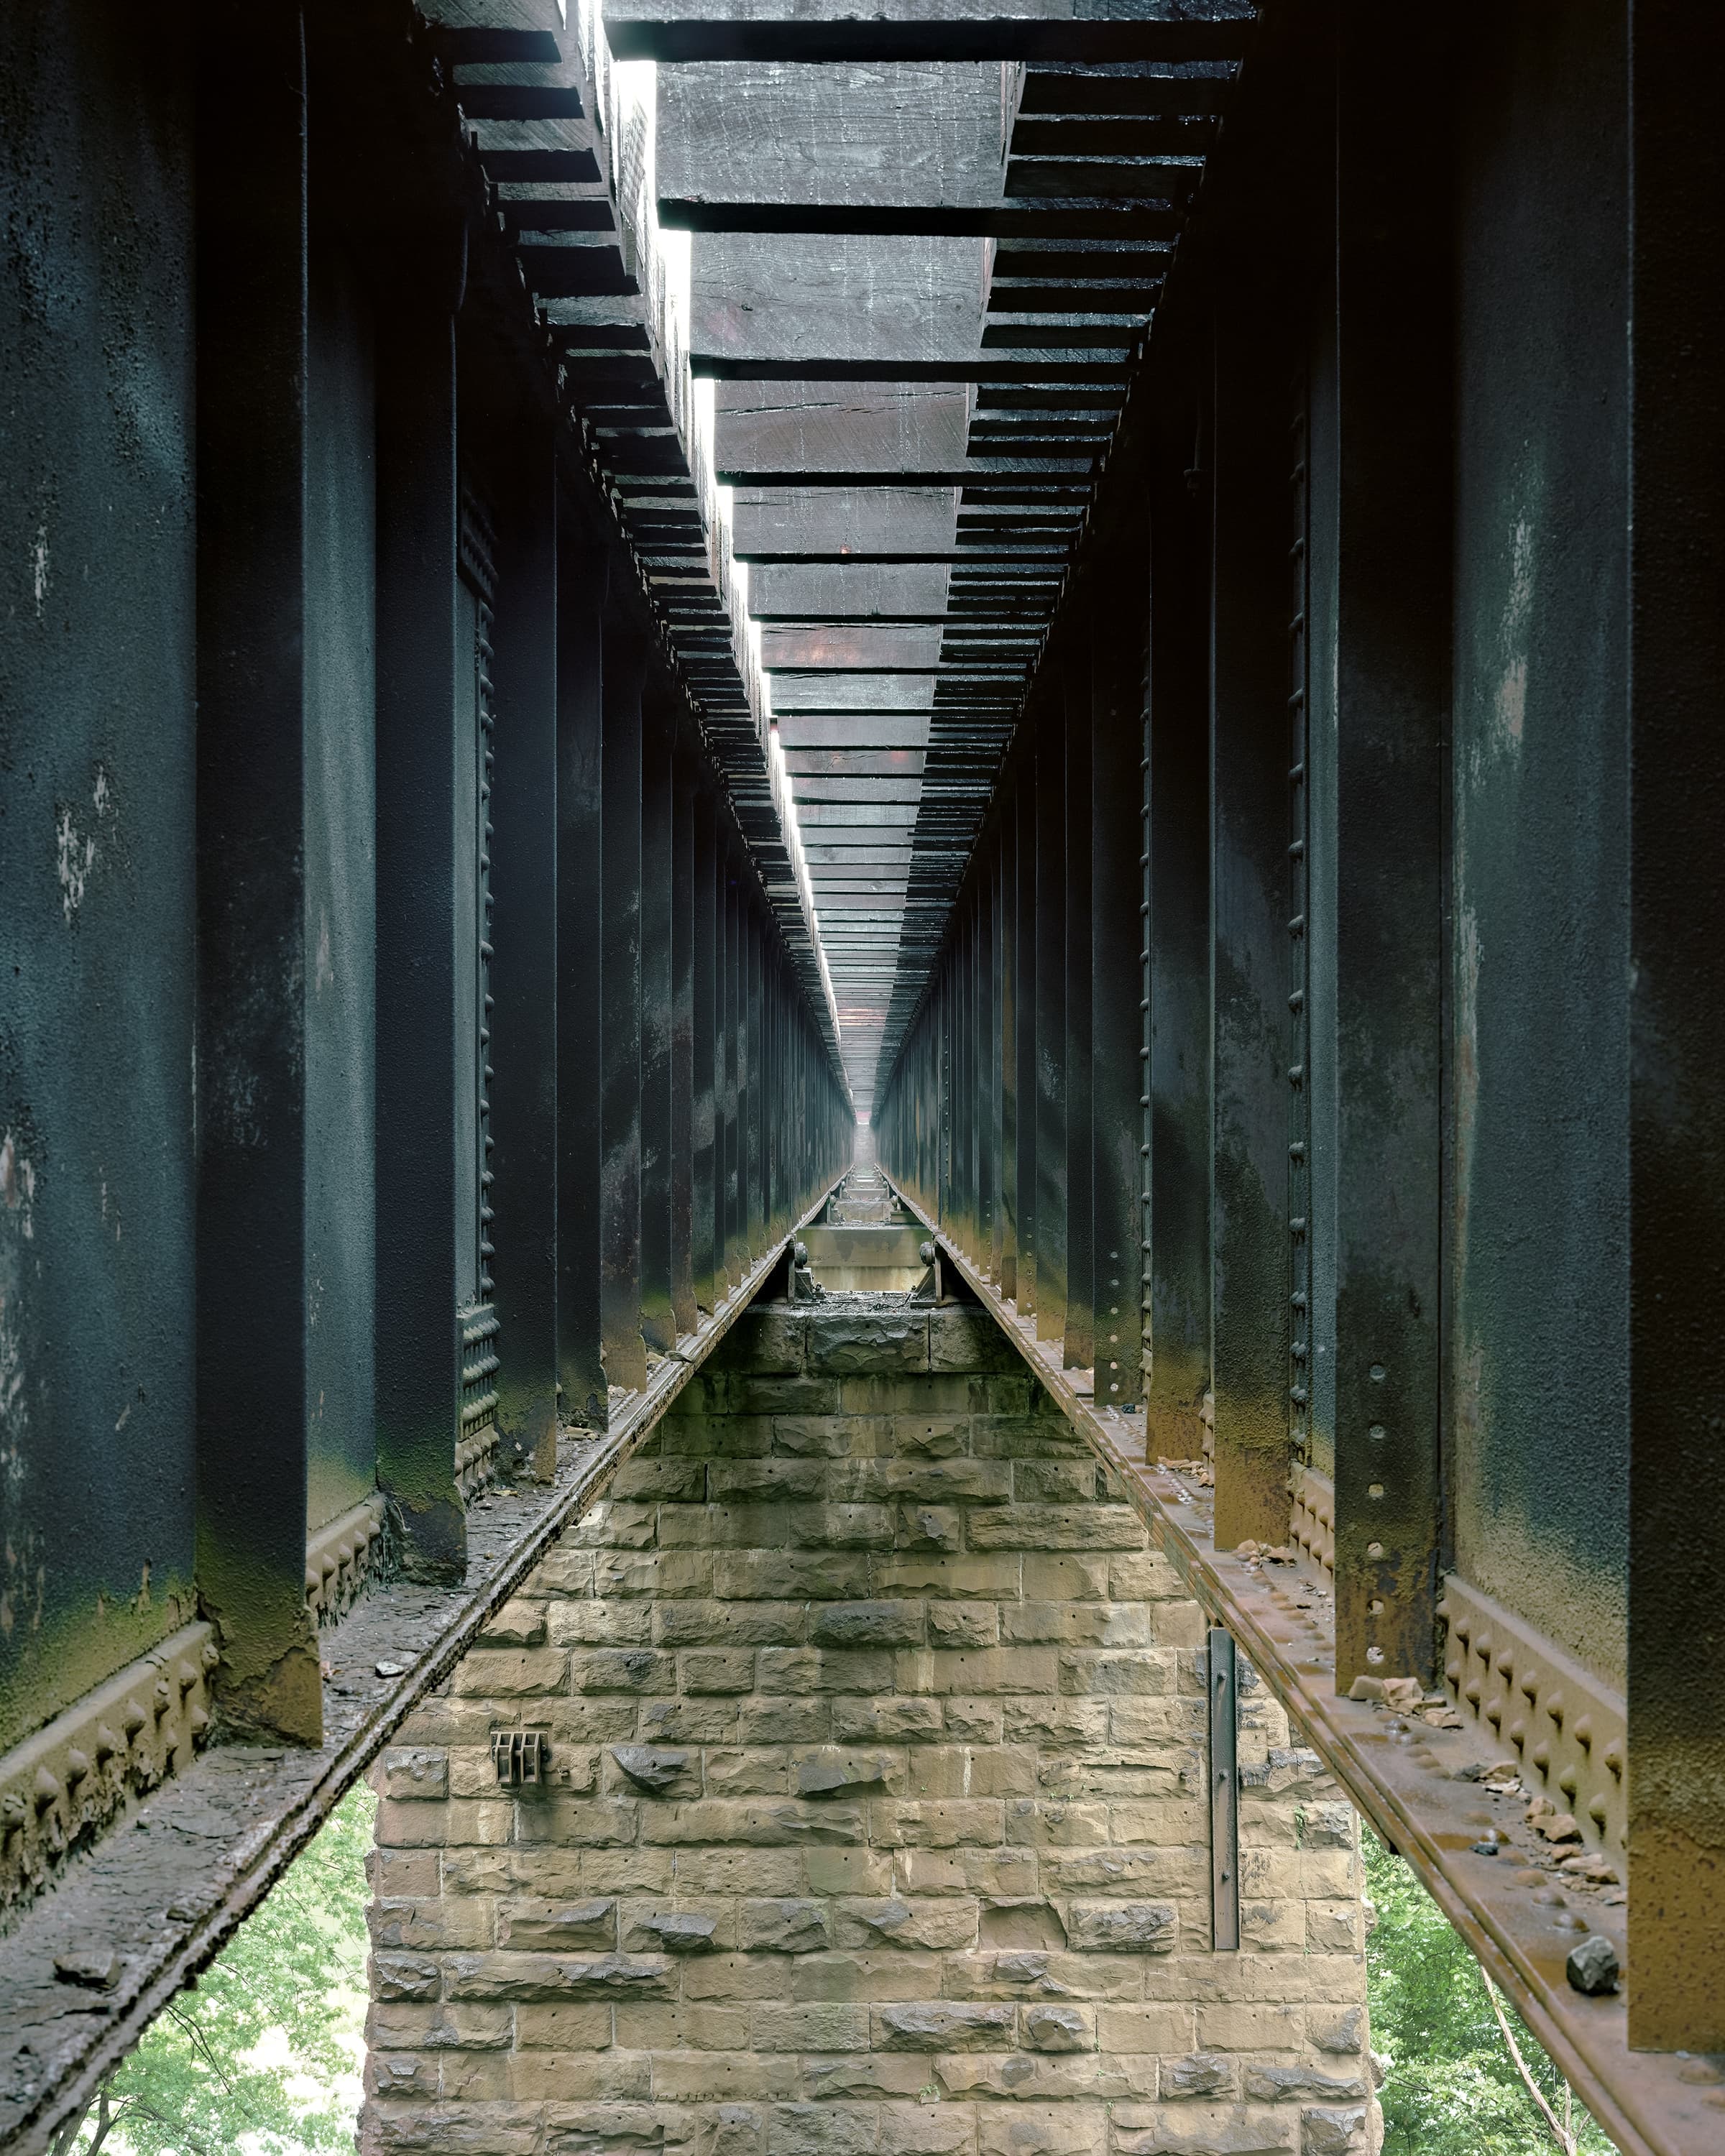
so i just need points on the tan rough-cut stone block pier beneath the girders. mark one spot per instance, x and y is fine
(877, 1810)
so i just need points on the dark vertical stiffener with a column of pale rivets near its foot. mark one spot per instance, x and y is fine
(1392, 717)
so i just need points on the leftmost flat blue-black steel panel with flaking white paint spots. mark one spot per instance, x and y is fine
(96, 848)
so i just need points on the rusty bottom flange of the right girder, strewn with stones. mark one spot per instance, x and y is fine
(1409, 1782)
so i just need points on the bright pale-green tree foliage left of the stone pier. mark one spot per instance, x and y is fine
(262, 2056)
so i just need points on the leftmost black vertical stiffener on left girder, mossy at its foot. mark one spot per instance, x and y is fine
(256, 948)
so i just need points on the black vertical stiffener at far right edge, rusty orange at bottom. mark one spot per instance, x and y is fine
(1676, 1131)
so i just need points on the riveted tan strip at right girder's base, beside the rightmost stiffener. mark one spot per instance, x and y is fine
(1567, 1728)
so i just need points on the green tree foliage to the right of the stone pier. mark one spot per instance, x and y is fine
(1452, 2088)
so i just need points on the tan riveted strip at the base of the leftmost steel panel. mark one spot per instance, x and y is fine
(70, 1780)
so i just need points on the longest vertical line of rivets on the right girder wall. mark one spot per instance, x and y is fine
(1299, 945)
